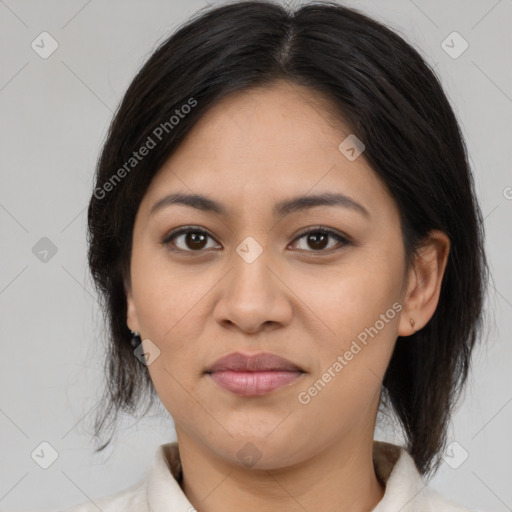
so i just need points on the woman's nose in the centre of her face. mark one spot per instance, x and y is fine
(253, 296)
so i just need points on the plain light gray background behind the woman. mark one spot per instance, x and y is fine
(55, 113)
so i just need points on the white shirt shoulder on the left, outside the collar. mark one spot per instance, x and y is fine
(133, 498)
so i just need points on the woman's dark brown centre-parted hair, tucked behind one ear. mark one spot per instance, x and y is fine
(392, 101)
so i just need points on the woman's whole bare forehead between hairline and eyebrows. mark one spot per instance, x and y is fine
(269, 142)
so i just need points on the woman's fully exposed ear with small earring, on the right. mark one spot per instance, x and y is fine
(424, 283)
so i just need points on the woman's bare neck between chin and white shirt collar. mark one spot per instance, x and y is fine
(341, 477)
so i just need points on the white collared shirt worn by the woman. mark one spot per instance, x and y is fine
(159, 490)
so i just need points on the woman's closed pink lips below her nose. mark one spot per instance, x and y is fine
(253, 375)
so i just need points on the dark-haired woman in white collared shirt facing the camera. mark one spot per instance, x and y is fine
(285, 234)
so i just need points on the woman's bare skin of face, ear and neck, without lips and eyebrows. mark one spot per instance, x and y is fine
(250, 151)
